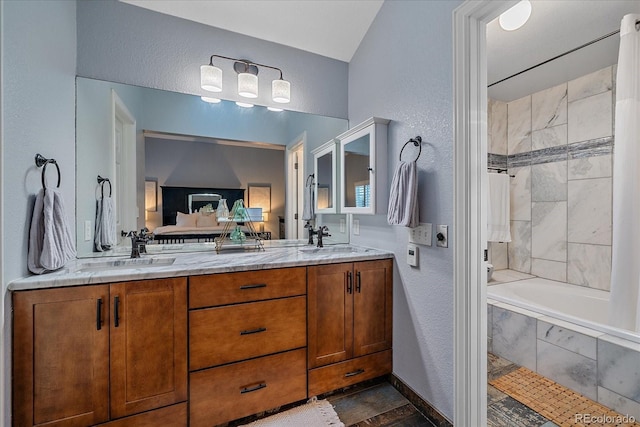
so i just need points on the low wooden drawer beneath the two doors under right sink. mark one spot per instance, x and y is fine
(343, 374)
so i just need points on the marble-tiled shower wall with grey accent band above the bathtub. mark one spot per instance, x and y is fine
(558, 144)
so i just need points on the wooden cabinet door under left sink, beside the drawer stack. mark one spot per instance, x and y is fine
(148, 345)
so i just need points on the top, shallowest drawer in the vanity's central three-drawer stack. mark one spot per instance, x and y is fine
(232, 288)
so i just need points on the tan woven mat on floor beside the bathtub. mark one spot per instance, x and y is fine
(556, 402)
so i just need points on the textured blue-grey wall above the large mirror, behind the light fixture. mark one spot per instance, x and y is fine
(127, 44)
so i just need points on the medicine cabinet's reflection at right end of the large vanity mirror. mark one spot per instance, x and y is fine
(325, 172)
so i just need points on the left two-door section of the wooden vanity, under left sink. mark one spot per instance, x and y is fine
(86, 355)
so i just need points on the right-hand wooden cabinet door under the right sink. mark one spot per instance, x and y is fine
(372, 301)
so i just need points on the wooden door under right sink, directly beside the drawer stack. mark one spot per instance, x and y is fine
(330, 301)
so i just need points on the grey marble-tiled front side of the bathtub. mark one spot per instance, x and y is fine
(600, 366)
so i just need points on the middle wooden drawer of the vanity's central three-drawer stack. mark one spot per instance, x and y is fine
(232, 333)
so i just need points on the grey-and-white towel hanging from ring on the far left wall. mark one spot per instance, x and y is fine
(51, 244)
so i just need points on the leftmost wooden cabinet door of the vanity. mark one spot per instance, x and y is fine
(61, 356)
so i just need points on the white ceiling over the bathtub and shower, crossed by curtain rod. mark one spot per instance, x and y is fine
(555, 27)
